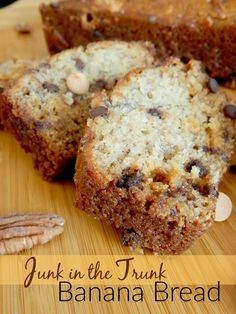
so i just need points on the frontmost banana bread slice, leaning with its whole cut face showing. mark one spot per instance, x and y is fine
(151, 163)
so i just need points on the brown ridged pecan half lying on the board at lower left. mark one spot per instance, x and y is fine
(23, 231)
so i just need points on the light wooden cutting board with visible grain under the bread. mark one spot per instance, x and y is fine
(23, 190)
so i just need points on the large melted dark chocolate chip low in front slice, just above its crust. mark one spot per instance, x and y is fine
(127, 179)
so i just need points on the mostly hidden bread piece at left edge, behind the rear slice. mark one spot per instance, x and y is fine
(11, 70)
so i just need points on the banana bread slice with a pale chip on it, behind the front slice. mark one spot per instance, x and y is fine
(46, 117)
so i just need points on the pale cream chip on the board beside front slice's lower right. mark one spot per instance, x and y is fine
(223, 207)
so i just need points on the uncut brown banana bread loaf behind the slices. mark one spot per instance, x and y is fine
(206, 33)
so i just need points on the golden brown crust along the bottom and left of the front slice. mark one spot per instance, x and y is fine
(141, 223)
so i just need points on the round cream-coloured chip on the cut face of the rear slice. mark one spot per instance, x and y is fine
(78, 83)
